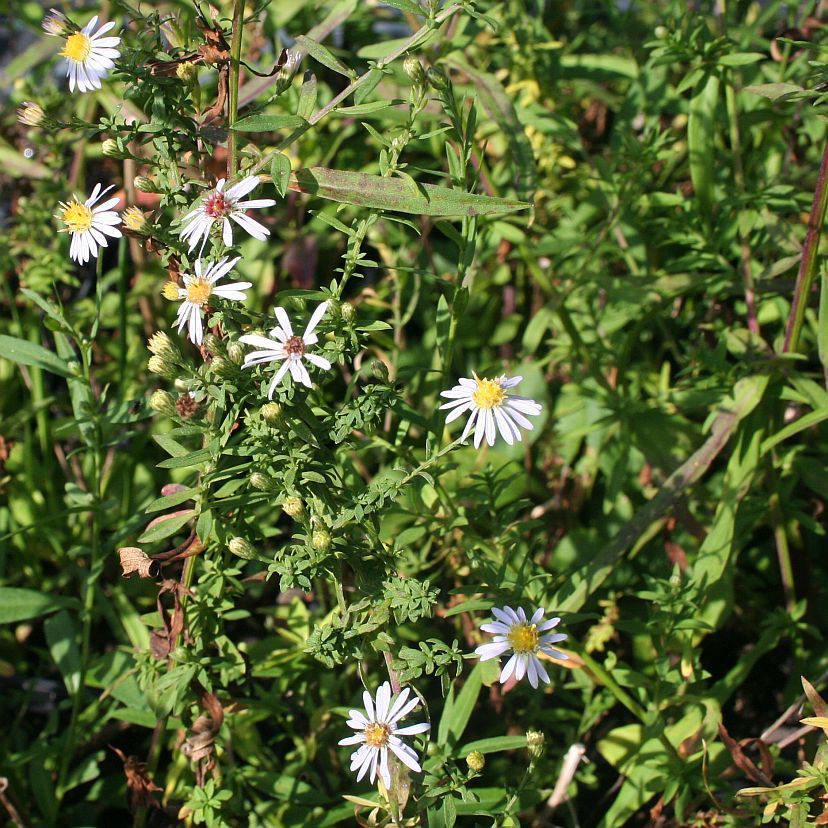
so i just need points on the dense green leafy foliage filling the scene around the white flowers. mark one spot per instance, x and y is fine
(669, 503)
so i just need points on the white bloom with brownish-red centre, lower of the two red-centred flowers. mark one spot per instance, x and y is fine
(289, 347)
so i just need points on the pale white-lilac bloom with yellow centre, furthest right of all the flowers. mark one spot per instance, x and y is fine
(525, 638)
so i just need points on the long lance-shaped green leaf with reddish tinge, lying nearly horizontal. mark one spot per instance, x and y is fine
(397, 194)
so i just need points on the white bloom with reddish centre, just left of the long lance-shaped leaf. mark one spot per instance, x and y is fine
(219, 206)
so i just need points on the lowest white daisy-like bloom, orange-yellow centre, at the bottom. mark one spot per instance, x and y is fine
(379, 732)
